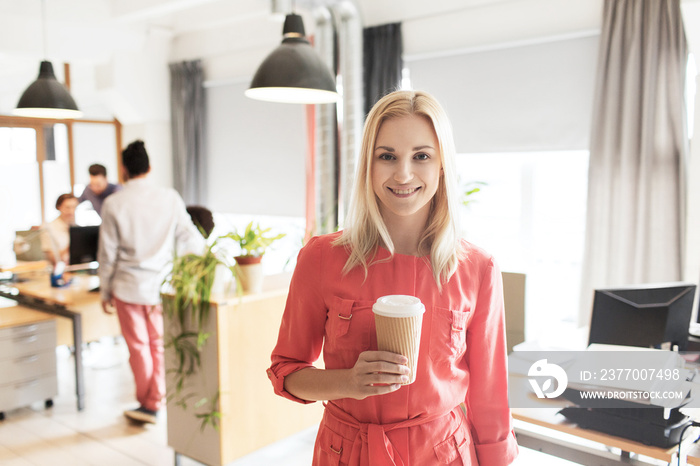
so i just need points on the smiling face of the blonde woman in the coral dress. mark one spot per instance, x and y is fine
(406, 168)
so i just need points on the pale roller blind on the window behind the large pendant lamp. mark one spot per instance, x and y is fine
(256, 154)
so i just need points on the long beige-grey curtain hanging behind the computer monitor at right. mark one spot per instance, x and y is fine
(636, 188)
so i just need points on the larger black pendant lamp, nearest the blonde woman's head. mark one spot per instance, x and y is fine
(293, 72)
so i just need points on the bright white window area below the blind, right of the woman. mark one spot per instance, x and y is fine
(530, 214)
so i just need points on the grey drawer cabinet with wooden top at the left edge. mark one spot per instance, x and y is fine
(27, 357)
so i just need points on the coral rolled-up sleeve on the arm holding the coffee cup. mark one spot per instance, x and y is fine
(301, 332)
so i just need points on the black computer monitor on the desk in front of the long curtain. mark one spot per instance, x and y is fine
(644, 315)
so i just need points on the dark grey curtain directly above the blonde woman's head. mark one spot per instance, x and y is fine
(382, 62)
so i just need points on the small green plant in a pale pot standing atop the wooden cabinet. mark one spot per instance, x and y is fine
(253, 243)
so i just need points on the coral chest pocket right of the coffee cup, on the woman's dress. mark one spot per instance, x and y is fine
(448, 334)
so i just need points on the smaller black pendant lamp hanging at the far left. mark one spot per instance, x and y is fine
(47, 98)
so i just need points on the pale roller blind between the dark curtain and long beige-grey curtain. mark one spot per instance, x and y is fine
(531, 97)
